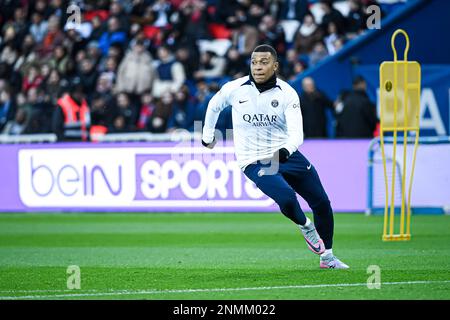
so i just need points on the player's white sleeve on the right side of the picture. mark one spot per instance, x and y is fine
(294, 123)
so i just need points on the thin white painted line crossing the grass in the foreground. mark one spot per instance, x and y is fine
(128, 292)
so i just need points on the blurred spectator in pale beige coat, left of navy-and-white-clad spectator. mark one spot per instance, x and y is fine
(136, 72)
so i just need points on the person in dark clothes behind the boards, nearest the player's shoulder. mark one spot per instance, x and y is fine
(314, 104)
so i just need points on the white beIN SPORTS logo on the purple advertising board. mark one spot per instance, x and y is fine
(131, 177)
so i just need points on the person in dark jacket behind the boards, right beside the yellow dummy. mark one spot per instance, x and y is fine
(356, 114)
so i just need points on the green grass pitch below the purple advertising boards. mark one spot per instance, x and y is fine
(215, 256)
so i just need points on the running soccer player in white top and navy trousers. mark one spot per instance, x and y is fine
(267, 131)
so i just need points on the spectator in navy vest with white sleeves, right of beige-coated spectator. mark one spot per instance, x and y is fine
(170, 74)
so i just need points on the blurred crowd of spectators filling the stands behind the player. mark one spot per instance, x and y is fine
(81, 67)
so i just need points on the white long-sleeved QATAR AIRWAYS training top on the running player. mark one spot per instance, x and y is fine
(262, 122)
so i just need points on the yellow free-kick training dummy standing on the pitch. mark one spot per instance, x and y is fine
(399, 98)
